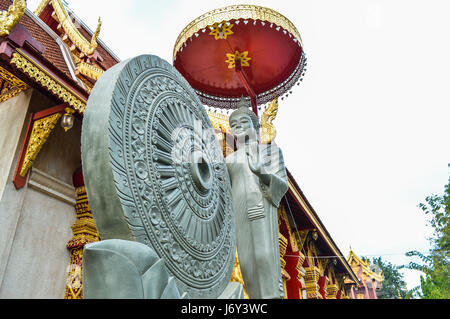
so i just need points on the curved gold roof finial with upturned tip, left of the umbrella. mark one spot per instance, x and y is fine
(72, 32)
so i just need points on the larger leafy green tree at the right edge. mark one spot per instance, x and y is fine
(435, 283)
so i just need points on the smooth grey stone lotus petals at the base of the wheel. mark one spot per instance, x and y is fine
(121, 269)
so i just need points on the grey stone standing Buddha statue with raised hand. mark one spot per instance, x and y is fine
(259, 182)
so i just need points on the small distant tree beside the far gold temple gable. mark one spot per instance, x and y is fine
(393, 285)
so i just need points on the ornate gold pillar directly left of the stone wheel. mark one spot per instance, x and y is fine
(84, 232)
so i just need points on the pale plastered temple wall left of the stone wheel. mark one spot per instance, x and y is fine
(35, 221)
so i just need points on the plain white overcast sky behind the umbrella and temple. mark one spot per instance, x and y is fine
(366, 133)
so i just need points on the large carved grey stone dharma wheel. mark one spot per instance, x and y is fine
(155, 172)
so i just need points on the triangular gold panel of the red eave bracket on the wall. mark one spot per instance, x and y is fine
(39, 135)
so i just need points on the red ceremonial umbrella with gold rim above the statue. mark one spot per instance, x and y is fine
(240, 50)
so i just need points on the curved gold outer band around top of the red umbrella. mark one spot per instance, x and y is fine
(241, 11)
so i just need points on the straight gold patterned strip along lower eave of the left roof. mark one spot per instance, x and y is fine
(46, 80)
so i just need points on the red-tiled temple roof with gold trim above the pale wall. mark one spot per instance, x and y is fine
(53, 51)
